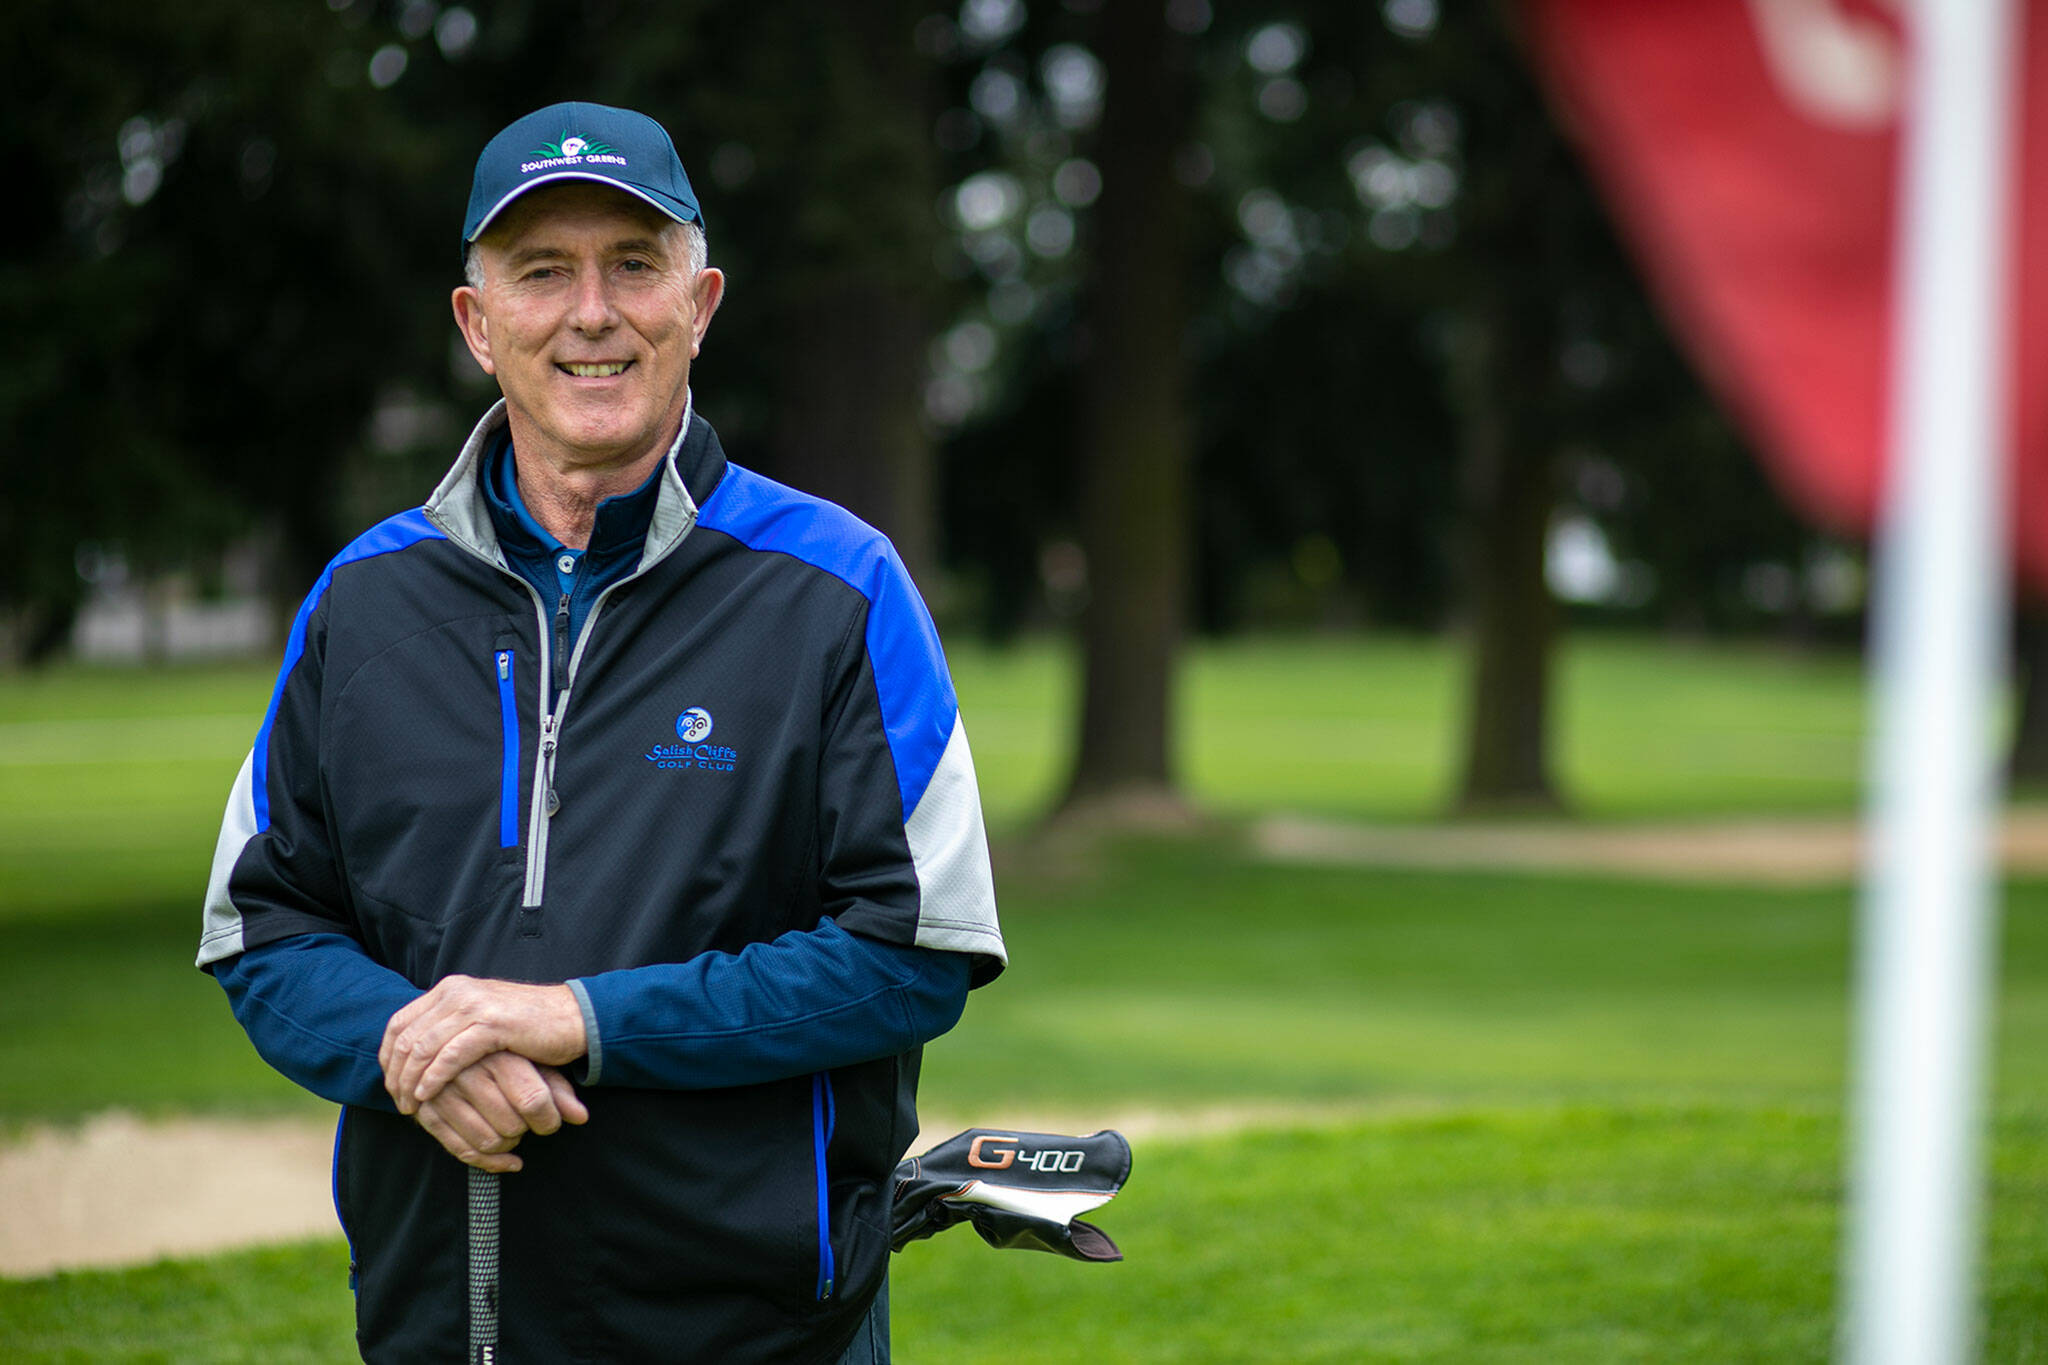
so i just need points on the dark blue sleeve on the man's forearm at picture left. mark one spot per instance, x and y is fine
(316, 1010)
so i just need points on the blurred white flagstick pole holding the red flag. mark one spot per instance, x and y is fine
(1928, 908)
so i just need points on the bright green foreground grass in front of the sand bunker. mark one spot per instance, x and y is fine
(1641, 1235)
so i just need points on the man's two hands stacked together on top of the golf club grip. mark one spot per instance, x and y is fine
(476, 1063)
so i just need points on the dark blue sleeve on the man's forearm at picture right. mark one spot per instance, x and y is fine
(800, 1004)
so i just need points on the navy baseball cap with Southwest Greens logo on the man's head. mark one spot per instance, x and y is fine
(581, 142)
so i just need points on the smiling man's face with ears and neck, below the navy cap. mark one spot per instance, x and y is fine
(589, 316)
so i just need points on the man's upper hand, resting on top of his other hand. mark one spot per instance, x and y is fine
(464, 1020)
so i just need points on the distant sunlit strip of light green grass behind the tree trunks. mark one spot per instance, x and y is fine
(112, 781)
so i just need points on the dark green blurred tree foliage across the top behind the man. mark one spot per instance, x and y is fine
(208, 359)
